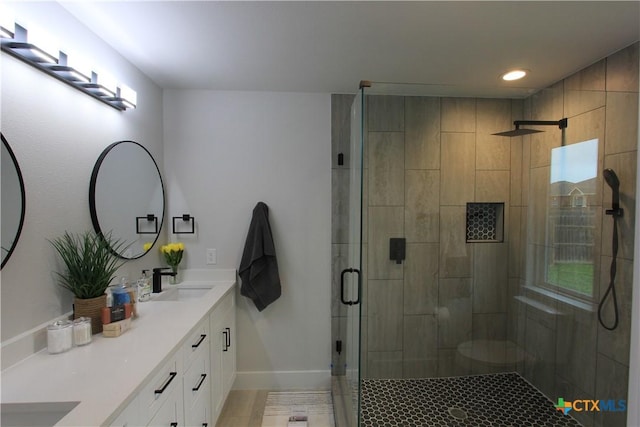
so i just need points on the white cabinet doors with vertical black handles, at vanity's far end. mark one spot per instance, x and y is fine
(223, 352)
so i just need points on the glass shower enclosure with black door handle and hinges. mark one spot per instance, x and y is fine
(470, 253)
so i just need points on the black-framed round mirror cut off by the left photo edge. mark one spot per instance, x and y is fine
(13, 201)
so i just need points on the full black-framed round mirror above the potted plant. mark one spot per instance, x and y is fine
(126, 197)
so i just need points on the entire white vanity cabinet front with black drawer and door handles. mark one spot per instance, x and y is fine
(191, 385)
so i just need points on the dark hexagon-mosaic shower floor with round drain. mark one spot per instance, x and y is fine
(493, 400)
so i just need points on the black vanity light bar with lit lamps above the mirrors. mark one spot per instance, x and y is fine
(15, 43)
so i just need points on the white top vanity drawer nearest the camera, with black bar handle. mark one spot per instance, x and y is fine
(154, 394)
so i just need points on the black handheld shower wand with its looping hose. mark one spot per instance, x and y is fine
(612, 180)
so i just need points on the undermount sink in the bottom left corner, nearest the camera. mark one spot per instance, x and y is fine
(34, 414)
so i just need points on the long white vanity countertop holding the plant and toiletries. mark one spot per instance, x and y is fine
(105, 374)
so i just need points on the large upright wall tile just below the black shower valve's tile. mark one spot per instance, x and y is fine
(385, 315)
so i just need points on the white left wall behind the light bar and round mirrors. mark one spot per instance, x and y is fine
(57, 134)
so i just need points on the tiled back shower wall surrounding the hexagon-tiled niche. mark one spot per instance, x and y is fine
(425, 159)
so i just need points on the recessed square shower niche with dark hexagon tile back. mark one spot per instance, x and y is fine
(485, 222)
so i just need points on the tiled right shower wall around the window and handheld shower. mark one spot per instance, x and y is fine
(568, 353)
